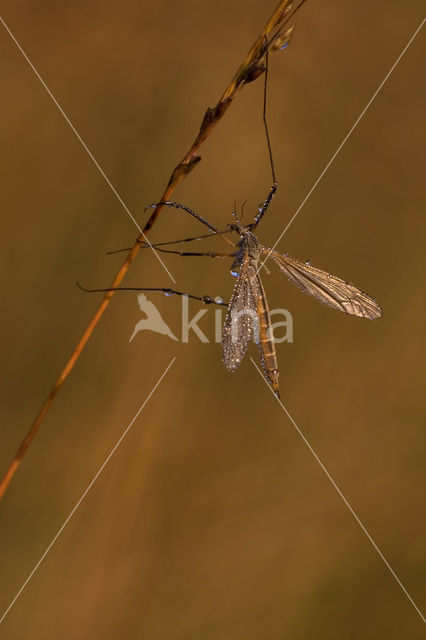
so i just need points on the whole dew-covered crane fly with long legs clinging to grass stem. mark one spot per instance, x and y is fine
(248, 314)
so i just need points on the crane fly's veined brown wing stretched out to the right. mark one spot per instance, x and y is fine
(328, 289)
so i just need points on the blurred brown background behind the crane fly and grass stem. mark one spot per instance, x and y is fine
(212, 520)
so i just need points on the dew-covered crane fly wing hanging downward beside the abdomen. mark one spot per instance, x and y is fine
(240, 320)
